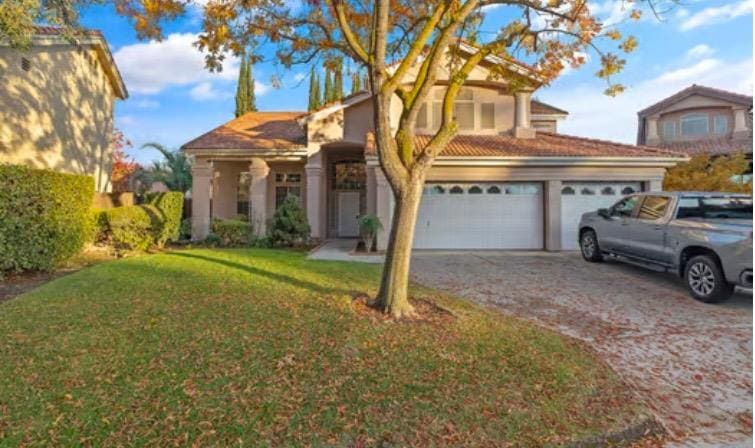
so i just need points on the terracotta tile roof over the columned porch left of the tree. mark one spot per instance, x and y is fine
(255, 130)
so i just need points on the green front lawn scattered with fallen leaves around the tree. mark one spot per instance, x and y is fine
(262, 347)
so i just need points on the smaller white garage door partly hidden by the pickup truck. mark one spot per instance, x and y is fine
(582, 197)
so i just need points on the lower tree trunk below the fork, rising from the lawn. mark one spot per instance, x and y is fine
(393, 296)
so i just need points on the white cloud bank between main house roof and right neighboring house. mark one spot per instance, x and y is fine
(592, 114)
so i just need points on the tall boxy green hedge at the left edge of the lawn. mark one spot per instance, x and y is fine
(45, 217)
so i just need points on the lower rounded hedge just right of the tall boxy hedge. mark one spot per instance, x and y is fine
(139, 227)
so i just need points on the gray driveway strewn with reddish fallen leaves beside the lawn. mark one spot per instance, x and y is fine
(690, 361)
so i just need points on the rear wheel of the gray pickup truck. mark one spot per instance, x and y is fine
(706, 281)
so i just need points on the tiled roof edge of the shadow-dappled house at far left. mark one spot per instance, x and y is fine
(53, 35)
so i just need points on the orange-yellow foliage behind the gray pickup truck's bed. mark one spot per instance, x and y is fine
(705, 173)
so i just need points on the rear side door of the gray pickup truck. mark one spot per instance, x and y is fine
(648, 231)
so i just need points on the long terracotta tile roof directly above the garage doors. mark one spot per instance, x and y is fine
(545, 144)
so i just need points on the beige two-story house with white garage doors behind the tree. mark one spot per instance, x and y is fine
(509, 180)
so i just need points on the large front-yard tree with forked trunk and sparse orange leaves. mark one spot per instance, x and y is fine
(393, 39)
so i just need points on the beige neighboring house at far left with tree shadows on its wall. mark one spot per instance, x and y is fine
(56, 104)
